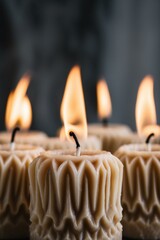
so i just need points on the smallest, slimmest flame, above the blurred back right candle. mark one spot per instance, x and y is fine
(103, 100)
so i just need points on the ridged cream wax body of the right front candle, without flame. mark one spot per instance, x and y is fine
(141, 190)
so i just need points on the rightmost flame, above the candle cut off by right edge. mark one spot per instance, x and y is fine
(145, 110)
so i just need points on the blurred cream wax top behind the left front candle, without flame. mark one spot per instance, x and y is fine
(24, 137)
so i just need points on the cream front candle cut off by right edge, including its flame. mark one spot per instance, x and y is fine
(140, 195)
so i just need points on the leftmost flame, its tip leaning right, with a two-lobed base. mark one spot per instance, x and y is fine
(18, 109)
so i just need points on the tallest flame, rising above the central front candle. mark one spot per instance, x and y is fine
(73, 112)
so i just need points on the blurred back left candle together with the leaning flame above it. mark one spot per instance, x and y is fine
(19, 113)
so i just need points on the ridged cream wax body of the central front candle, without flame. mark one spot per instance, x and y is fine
(75, 197)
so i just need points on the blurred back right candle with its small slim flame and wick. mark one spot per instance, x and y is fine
(111, 135)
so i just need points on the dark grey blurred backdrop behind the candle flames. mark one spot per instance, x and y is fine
(117, 40)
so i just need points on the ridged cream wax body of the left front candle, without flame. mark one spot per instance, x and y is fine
(14, 190)
